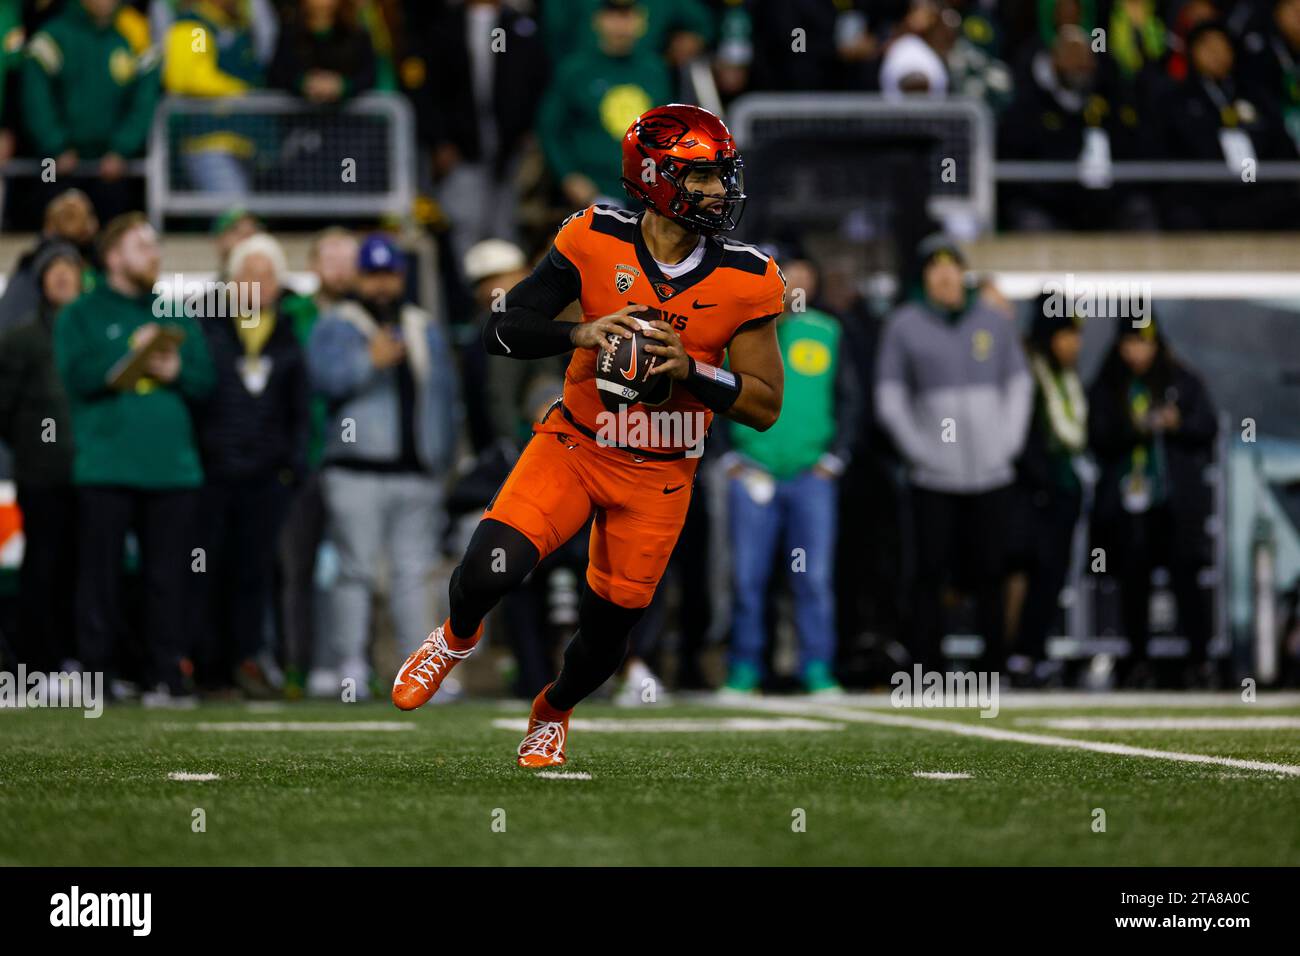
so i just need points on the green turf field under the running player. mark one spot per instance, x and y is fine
(79, 791)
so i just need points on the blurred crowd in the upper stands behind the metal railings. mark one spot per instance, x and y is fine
(510, 96)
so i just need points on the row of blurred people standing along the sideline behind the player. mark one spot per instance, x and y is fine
(184, 469)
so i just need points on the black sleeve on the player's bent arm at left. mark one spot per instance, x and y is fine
(527, 330)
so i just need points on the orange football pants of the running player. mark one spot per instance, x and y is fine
(642, 505)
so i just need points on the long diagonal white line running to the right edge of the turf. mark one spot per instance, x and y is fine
(972, 730)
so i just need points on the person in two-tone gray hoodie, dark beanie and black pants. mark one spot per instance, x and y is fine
(955, 395)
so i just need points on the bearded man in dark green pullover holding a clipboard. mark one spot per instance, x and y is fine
(136, 458)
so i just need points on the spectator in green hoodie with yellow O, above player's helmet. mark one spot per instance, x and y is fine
(595, 98)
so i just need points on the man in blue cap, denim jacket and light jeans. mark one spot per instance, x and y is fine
(388, 373)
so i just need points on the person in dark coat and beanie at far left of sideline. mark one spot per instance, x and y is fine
(36, 425)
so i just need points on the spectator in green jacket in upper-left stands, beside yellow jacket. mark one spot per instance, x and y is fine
(88, 100)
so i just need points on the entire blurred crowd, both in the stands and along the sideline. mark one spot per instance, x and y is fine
(262, 494)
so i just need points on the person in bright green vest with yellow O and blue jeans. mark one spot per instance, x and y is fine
(785, 494)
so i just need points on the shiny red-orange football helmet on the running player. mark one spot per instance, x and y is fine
(664, 148)
